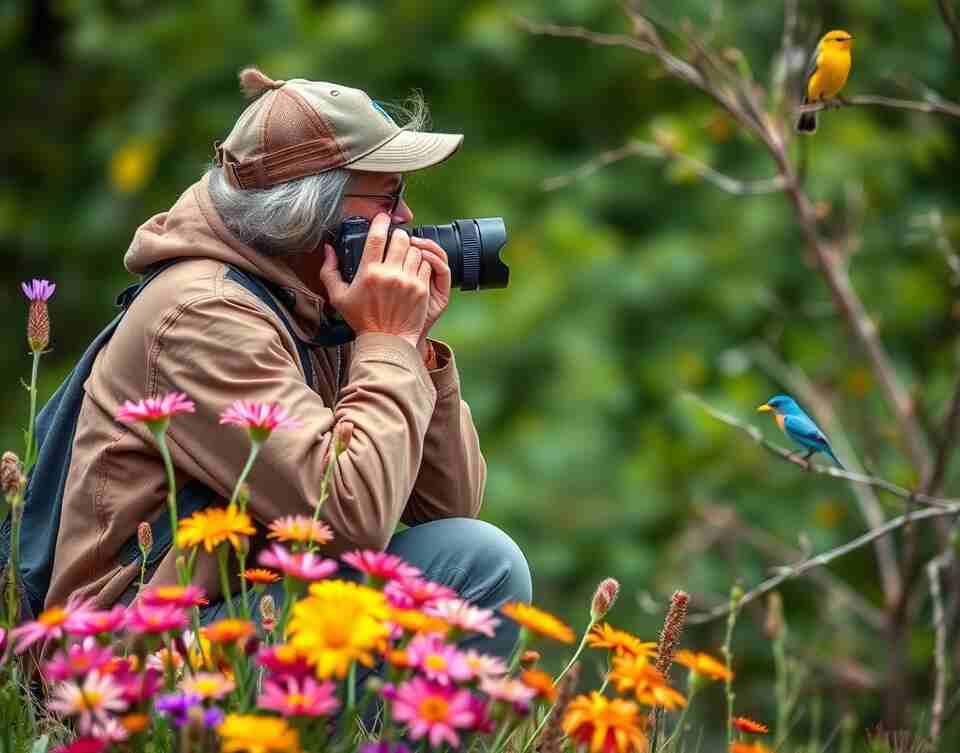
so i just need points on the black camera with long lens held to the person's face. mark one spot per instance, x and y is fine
(472, 245)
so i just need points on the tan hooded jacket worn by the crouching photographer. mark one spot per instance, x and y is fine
(414, 455)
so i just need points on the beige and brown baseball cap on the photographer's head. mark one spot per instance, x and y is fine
(298, 127)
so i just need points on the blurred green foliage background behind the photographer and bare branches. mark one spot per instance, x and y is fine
(627, 288)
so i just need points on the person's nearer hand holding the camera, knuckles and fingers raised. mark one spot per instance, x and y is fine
(391, 292)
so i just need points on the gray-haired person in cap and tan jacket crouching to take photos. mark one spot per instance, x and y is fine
(303, 156)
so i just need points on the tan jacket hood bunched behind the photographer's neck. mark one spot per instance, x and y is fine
(192, 228)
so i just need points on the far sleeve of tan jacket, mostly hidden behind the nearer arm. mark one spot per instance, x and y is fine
(453, 471)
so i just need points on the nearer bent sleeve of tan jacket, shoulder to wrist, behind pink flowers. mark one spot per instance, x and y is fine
(220, 349)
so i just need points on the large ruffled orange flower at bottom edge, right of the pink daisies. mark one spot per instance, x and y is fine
(606, 726)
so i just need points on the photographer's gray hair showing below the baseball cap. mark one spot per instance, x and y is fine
(293, 216)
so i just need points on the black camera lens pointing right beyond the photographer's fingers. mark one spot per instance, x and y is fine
(473, 251)
